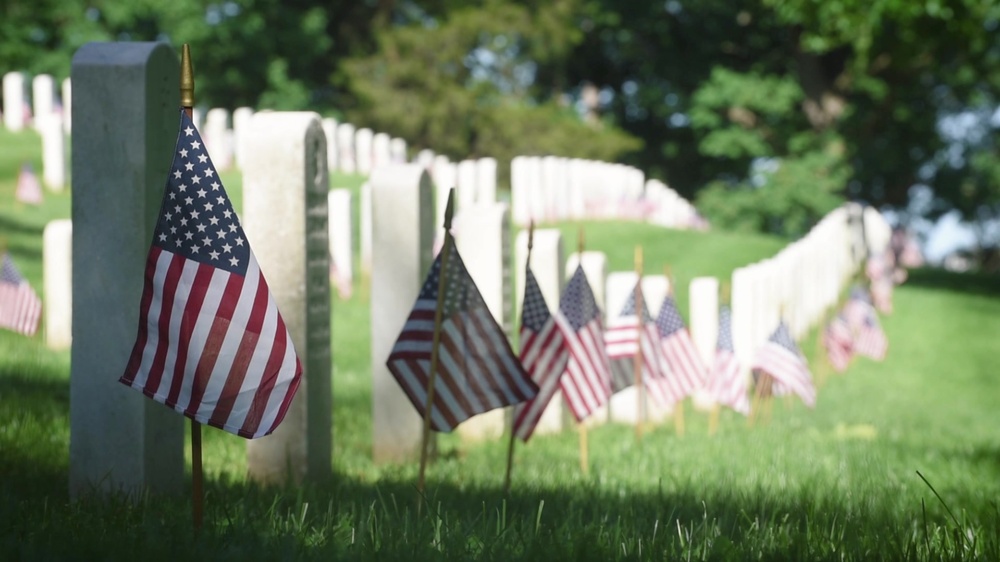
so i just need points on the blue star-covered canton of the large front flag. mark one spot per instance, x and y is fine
(197, 220)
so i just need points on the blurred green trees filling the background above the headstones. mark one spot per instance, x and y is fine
(766, 112)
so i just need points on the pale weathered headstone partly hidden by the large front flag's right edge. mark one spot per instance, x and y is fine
(285, 186)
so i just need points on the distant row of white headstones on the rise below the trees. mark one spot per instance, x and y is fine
(551, 188)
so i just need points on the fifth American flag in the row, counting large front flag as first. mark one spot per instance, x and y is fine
(622, 342)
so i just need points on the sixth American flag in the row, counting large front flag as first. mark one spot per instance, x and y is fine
(687, 370)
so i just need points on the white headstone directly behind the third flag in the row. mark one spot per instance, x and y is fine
(546, 265)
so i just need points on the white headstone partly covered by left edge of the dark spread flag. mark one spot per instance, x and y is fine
(401, 256)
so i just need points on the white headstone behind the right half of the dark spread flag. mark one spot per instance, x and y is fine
(482, 237)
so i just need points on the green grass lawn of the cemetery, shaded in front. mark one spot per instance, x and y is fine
(836, 483)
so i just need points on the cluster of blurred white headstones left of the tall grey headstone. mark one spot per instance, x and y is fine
(47, 114)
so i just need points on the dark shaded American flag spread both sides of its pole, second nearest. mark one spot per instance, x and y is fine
(477, 371)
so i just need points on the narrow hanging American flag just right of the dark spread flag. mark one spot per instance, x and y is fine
(544, 355)
